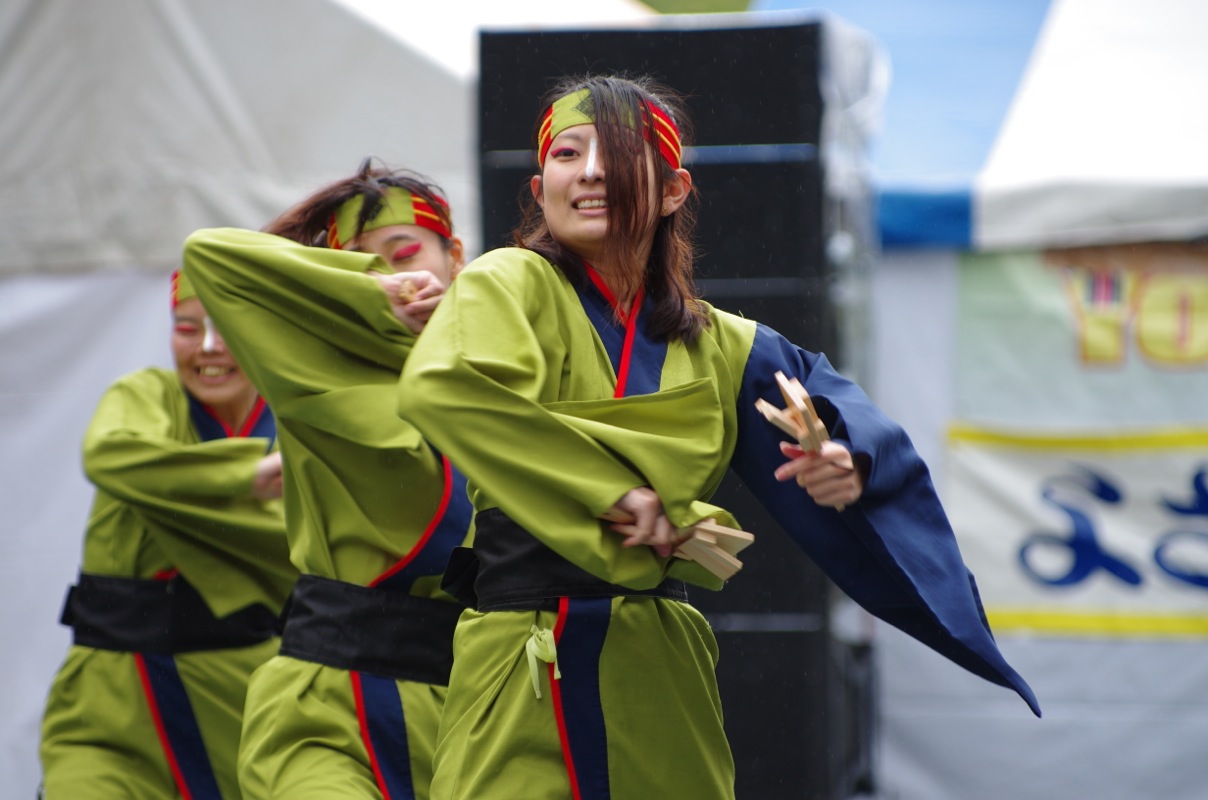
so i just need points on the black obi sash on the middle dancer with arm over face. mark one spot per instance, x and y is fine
(370, 629)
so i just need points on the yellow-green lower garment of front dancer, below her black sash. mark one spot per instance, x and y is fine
(653, 681)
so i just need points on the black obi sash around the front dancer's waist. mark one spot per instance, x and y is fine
(512, 570)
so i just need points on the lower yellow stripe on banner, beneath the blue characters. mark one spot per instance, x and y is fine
(1097, 624)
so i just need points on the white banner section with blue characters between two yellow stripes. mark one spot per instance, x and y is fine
(1101, 536)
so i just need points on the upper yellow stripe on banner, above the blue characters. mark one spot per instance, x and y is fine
(1102, 442)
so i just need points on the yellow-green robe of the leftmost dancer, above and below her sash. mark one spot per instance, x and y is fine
(166, 503)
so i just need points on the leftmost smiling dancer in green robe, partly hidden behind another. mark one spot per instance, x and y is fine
(185, 570)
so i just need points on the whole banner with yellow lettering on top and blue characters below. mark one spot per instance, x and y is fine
(1077, 463)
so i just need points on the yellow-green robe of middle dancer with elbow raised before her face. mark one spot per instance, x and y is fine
(318, 339)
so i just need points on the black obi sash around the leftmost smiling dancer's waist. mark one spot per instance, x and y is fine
(165, 617)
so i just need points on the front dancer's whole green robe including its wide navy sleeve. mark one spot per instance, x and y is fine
(562, 688)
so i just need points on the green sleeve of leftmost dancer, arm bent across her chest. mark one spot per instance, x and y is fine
(194, 500)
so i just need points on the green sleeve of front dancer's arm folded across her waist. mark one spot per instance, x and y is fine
(478, 385)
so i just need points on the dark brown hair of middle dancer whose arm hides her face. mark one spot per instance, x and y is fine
(307, 222)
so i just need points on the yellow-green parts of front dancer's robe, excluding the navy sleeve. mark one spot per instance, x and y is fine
(555, 431)
